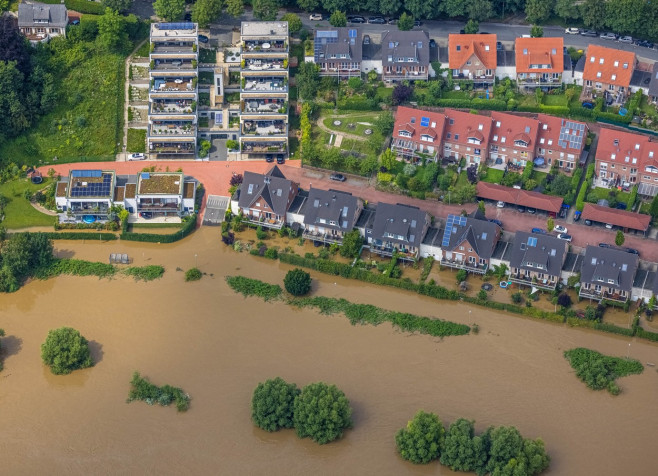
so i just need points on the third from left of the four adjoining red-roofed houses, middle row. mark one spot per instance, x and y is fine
(513, 139)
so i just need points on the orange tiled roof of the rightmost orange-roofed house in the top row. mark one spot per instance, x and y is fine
(617, 67)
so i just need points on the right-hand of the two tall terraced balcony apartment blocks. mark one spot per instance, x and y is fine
(264, 49)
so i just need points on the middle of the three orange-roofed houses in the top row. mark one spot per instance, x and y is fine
(539, 62)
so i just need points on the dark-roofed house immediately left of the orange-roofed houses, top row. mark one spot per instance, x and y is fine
(405, 55)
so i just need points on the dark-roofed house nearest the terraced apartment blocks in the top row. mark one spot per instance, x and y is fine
(338, 52)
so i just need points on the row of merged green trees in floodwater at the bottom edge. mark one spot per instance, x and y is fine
(499, 450)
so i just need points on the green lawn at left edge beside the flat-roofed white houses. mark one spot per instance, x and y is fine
(19, 213)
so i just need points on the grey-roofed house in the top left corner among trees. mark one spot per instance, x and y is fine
(38, 22)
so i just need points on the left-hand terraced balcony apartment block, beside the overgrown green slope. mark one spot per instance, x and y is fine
(173, 91)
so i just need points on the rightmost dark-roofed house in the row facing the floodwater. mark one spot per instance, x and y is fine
(607, 274)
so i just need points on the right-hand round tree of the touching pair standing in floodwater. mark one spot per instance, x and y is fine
(322, 412)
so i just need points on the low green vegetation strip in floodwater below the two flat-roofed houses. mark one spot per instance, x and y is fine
(76, 267)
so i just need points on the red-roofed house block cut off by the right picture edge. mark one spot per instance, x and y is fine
(625, 158)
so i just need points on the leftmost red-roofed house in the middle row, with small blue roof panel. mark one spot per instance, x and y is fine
(417, 134)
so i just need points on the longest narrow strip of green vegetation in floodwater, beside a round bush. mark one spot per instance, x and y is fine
(356, 313)
